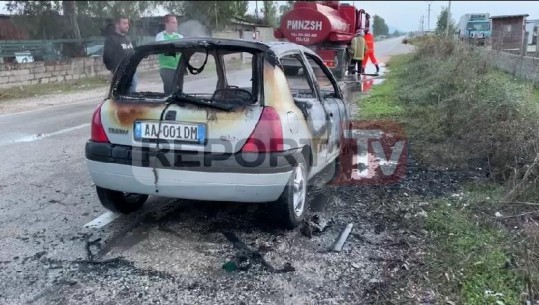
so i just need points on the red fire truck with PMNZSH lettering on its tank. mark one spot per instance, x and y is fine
(326, 27)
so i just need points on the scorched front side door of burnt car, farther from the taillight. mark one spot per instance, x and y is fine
(332, 100)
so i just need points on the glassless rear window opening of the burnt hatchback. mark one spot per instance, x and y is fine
(211, 75)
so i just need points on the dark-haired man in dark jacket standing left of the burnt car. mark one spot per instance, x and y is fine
(118, 45)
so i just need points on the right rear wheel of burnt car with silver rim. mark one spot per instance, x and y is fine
(292, 204)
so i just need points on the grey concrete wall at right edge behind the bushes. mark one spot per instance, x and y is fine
(520, 66)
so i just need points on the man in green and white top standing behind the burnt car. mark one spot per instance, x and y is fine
(168, 64)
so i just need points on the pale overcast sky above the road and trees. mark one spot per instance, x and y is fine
(405, 15)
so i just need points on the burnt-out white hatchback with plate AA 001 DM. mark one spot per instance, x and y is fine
(234, 128)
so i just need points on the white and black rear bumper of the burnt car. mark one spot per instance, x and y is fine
(124, 168)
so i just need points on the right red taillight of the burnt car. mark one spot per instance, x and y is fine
(268, 134)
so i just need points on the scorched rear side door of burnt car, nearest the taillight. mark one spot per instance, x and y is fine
(307, 98)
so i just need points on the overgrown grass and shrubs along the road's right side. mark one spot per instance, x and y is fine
(458, 113)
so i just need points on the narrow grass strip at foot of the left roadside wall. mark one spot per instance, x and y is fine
(27, 91)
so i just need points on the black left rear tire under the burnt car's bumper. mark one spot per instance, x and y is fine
(120, 202)
